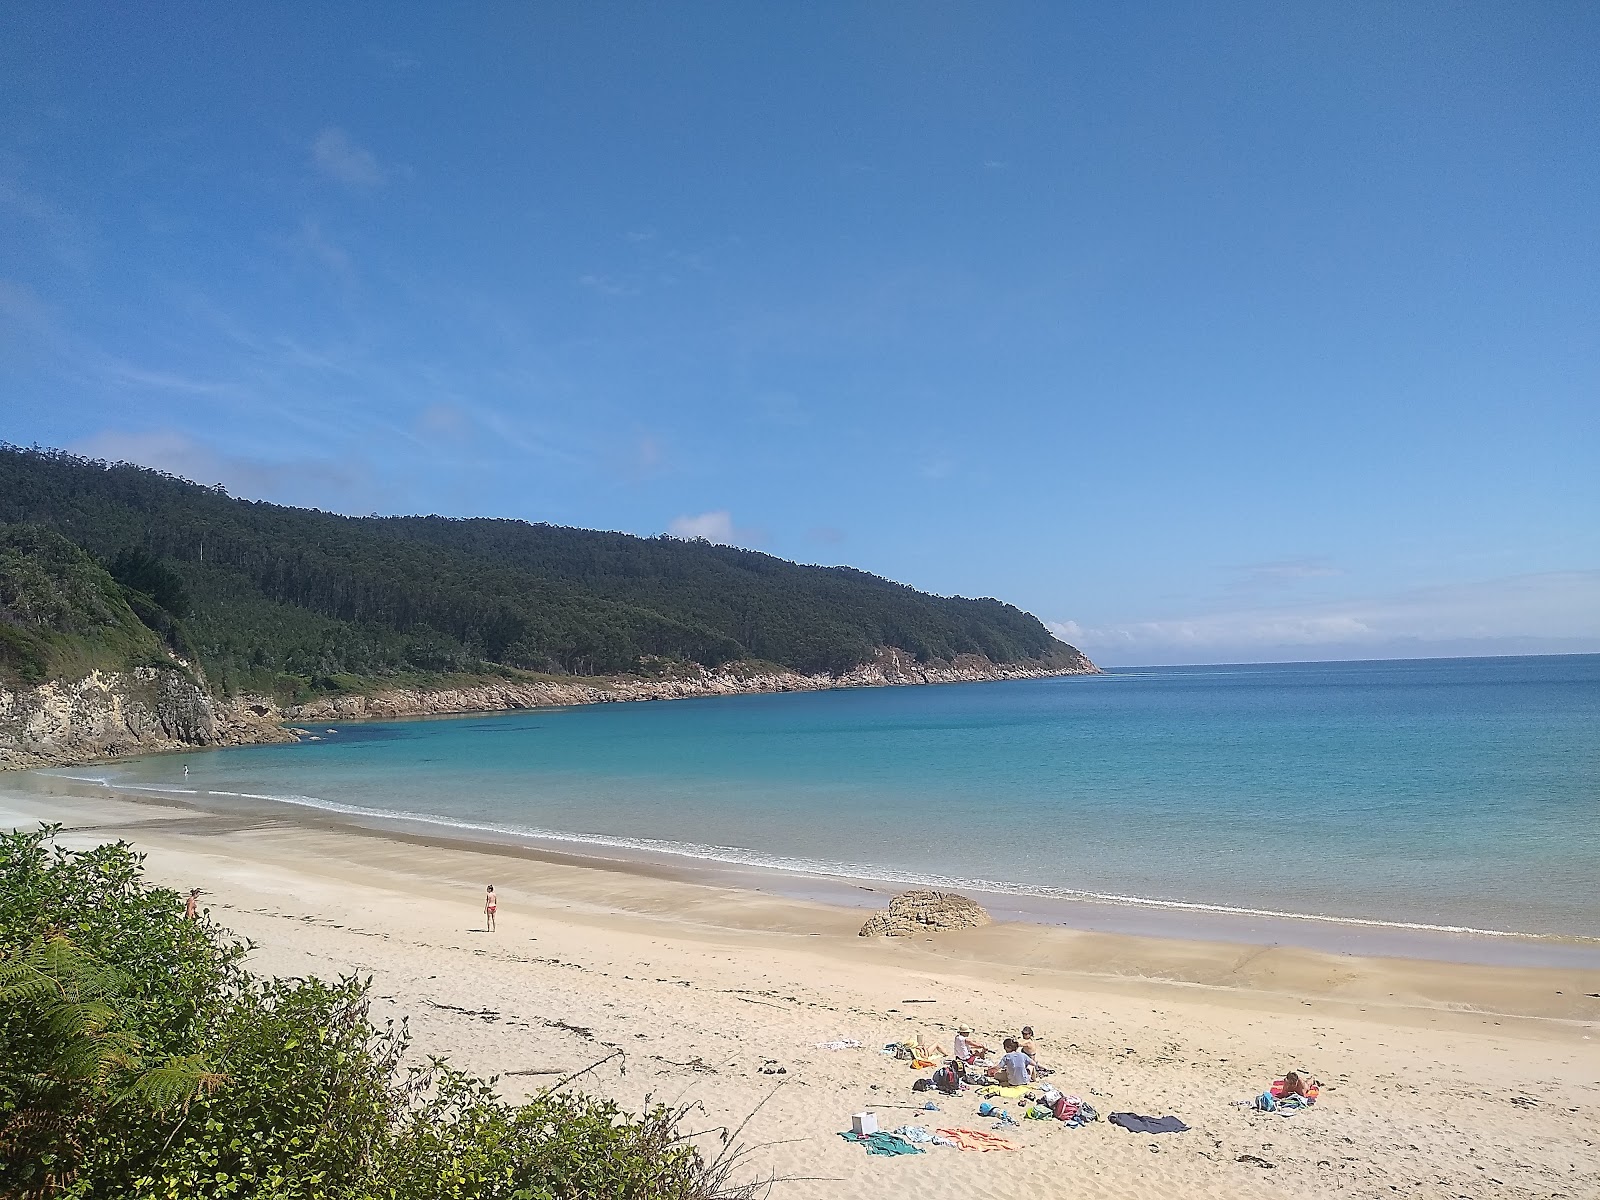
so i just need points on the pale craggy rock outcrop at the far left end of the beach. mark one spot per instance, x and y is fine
(124, 713)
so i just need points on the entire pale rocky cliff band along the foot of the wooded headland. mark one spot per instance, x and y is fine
(154, 710)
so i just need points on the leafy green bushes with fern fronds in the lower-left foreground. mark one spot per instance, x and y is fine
(138, 1058)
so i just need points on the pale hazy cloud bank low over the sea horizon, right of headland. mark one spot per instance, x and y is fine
(1530, 614)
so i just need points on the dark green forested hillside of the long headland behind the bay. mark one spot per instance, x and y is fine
(295, 601)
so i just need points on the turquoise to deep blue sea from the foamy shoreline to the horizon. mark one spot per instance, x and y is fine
(1457, 793)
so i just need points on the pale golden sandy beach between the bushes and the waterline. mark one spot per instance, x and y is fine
(1439, 1079)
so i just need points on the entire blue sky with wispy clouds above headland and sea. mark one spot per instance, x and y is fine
(1204, 332)
